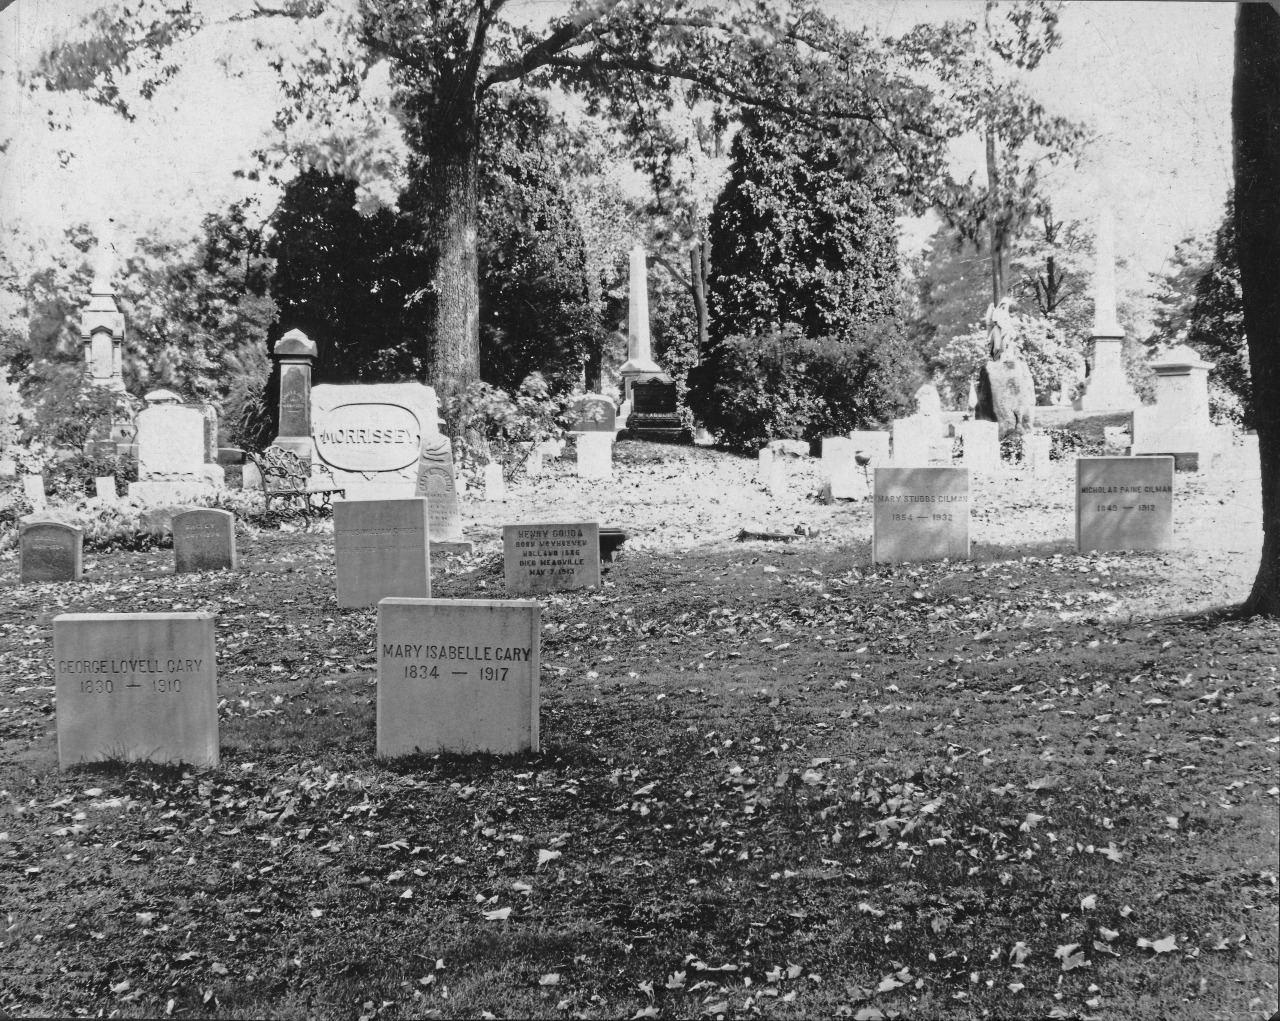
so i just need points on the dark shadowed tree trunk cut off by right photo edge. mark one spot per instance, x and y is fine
(1256, 122)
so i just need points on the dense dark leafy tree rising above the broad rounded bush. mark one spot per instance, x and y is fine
(802, 236)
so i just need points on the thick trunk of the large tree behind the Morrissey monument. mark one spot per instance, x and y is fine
(454, 310)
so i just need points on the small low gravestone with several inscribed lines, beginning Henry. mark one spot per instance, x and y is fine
(551, 557)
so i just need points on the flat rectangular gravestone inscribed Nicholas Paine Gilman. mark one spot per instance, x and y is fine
(1124, 503)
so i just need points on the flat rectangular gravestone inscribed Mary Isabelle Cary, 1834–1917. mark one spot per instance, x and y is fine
(458, 676)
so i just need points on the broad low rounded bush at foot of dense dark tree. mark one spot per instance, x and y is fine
(787, 386)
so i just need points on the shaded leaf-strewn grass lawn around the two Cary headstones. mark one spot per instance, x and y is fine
(776, 782)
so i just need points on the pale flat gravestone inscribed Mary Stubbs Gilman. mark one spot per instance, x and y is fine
(921, 515)
